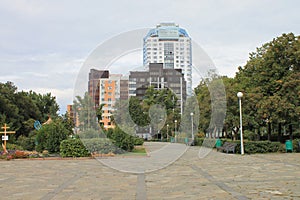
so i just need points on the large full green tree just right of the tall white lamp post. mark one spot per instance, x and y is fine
(266, 80)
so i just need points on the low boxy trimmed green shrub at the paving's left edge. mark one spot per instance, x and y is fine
(73, 148)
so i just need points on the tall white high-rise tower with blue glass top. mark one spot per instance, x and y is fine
(171, 45)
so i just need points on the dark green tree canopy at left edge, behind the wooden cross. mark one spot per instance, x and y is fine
(21, 109)
